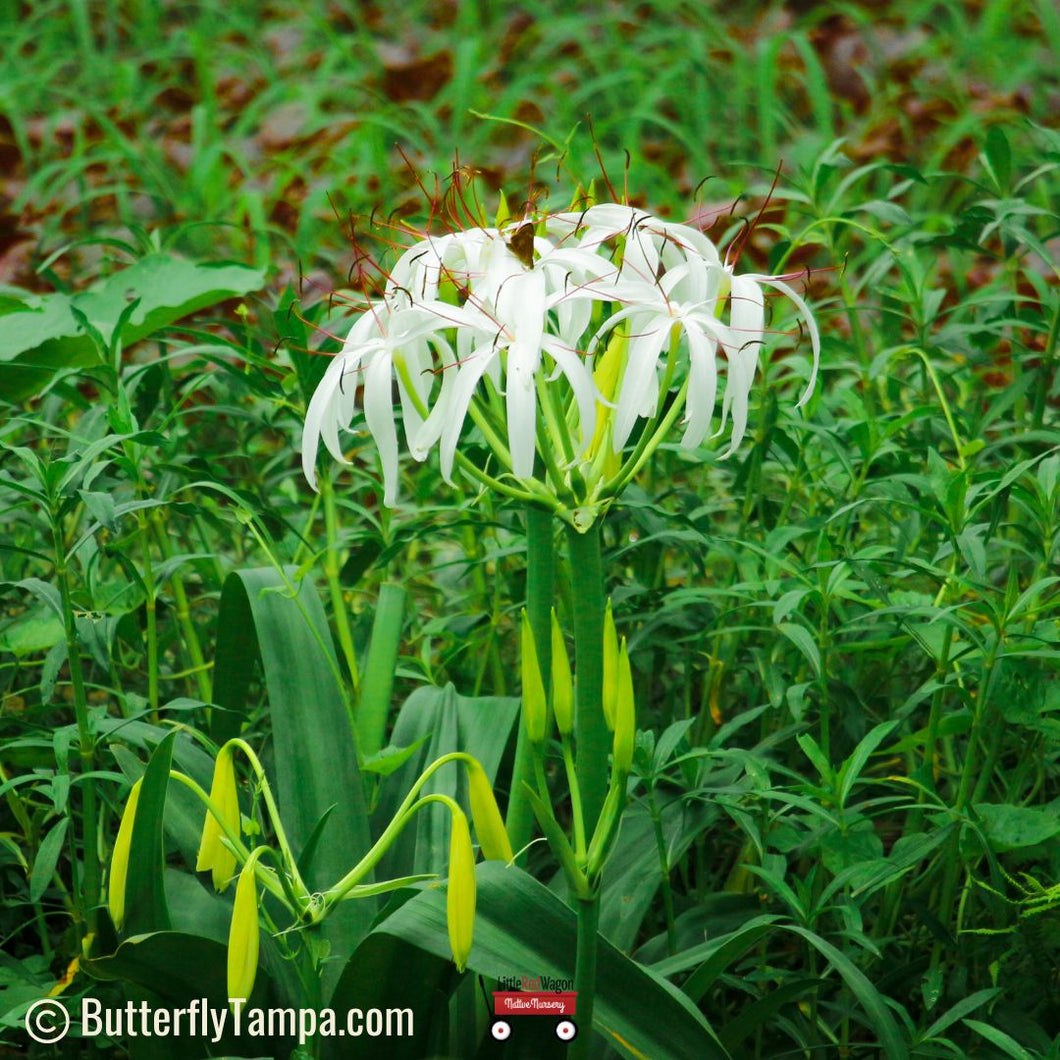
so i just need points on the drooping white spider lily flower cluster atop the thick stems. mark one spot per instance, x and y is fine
(511, 327)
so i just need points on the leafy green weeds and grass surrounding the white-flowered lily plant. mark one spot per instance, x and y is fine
(845, 639)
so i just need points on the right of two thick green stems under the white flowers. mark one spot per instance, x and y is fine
(591, 732)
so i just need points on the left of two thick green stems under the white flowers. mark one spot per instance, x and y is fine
(540, 574)
